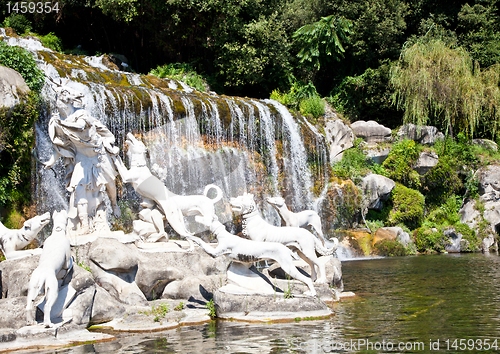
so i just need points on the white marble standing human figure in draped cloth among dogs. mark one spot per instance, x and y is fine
(86, 146)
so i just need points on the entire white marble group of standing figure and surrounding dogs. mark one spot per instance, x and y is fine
(92, 161)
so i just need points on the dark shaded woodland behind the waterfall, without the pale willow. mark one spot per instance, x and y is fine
(247, 47)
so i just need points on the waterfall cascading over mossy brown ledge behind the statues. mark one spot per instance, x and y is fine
(193, 138)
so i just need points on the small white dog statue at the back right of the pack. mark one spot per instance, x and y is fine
(300, 219)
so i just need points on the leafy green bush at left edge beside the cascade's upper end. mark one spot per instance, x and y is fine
(23, 62)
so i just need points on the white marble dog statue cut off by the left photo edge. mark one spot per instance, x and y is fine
(12, 242)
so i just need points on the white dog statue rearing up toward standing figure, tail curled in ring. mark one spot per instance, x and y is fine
(150, 187)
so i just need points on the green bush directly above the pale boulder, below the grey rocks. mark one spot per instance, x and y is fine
(400, 161)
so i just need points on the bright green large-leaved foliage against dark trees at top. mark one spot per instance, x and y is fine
(323, 40)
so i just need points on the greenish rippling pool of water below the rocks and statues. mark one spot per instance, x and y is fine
(402, 304)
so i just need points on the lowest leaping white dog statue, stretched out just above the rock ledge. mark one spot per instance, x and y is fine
(246, 251)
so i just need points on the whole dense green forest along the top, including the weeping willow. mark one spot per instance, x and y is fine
(347, 52)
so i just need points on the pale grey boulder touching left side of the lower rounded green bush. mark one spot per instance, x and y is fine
(376, 189)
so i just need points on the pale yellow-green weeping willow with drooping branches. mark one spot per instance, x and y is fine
(440, 85)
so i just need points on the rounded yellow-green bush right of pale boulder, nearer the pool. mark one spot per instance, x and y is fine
(407, 207)
